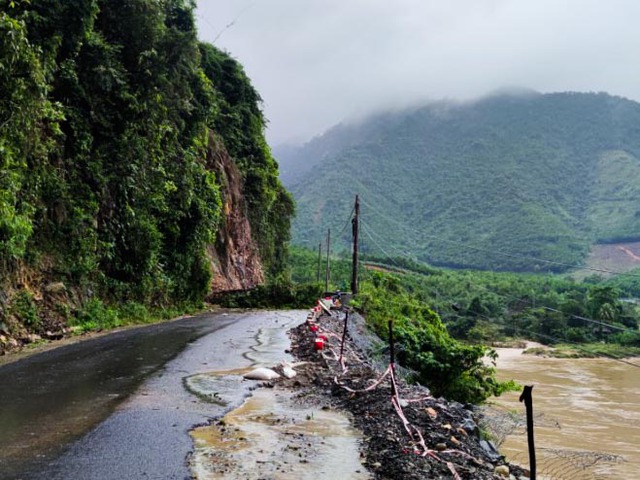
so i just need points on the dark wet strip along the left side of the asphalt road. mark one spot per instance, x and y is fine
(51, 398)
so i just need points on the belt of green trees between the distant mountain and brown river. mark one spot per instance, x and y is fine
(484, 307)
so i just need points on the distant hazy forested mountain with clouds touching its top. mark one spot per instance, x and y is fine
(491, 184)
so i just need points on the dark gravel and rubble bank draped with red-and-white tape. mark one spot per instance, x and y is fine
(410, 435)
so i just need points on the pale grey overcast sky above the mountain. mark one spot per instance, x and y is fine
(318, 62)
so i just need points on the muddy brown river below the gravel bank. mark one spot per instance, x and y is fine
(587, 416)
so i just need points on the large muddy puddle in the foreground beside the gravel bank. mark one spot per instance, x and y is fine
(270, 437)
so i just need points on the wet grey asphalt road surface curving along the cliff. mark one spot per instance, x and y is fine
(115, 407)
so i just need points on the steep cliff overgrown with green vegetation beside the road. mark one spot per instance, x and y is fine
(131, 156)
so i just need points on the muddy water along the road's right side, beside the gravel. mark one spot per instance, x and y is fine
(269, 435)
